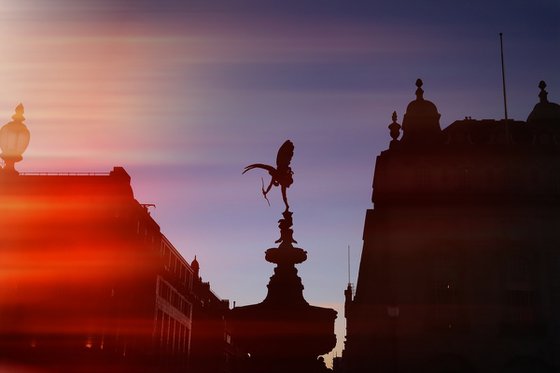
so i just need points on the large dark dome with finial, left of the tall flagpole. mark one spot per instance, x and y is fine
(421, 120)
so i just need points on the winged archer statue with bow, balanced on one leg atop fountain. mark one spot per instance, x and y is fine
(282, 174)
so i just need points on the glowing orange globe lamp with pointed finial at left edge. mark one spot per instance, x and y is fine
(14, 138)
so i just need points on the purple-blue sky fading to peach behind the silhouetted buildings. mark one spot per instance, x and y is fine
(185, 94)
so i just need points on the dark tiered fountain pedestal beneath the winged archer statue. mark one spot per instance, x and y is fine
(284, 333)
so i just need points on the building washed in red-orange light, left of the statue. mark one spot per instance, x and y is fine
(89, 282)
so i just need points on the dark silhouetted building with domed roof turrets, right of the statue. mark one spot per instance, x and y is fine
(460, 268)
